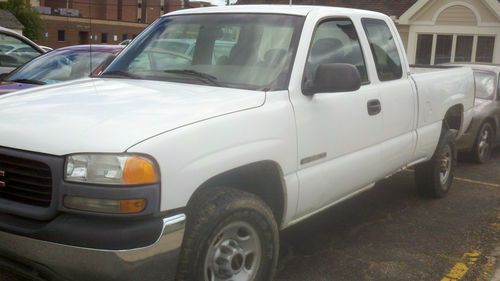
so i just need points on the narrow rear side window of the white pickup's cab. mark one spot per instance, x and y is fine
(384, 50)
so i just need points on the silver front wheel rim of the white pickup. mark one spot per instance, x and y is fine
(234, 254)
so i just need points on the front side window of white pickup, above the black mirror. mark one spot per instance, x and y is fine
(335, 41)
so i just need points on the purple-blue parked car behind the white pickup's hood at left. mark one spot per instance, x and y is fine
(61, 65)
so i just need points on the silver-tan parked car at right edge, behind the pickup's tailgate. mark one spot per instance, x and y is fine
(484, 132)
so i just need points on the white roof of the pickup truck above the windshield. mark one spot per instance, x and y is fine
(300, 10)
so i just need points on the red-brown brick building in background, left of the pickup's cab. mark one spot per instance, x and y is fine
(71, 22)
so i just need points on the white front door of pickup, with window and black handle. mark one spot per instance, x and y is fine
(338, 132)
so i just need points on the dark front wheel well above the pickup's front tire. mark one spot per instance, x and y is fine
(264, 179)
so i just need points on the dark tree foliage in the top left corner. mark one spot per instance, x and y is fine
(31, 20)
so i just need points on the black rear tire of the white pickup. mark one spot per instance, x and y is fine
(430, 179)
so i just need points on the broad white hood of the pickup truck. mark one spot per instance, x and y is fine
(109, 115)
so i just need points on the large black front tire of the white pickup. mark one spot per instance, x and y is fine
(211, 212)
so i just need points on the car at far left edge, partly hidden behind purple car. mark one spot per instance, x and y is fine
(15, 50)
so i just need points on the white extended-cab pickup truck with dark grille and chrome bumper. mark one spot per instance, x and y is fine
(186, 164)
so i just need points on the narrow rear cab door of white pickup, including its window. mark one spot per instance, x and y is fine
(398, 98)
